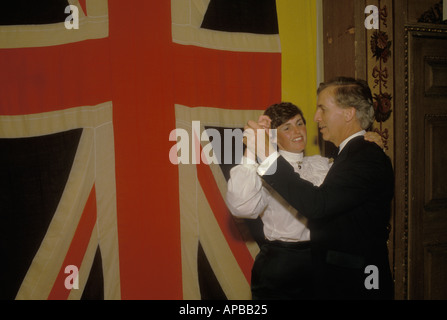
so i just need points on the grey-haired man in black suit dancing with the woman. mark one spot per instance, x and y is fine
(349, 213)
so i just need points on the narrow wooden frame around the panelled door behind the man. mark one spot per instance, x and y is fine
(402, 232)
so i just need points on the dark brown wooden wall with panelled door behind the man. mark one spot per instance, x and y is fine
(384, 57)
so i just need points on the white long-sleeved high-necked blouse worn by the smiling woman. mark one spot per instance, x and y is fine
(248, 198)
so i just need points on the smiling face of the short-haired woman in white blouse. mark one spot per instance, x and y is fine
(292, 135)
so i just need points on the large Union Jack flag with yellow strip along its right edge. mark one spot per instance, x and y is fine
(85, 120)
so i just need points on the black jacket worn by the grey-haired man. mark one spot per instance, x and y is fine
(348, 214)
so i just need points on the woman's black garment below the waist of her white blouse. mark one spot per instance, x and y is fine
(282, 271)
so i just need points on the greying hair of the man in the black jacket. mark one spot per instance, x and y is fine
(350, 92)
